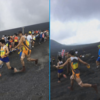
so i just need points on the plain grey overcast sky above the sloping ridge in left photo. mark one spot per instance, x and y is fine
(17, 13)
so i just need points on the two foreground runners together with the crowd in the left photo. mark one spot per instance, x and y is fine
(20, 42)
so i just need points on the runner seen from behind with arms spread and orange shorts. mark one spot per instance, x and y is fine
(75, 71)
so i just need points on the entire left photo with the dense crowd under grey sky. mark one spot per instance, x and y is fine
(24, 50)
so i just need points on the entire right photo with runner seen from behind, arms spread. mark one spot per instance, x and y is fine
(75, 49)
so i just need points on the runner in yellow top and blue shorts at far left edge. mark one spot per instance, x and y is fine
(4, 56)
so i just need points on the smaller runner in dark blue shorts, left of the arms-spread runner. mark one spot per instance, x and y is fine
(60, 69)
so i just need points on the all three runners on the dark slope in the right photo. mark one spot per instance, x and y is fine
(73, 62)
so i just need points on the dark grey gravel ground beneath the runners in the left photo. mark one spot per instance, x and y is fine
(33, 84)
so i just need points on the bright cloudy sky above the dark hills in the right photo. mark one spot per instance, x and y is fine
(75, 21)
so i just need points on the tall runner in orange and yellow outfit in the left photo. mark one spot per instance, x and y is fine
(25, 50)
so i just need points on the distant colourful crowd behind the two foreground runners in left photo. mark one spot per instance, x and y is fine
(13, 40)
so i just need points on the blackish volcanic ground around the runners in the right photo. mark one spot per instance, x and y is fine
(60, 91)
